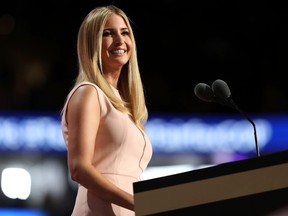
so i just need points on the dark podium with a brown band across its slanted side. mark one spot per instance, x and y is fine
(250, 187)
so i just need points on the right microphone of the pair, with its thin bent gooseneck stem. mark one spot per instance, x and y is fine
(221, 89)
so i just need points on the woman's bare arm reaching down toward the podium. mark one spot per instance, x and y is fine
(83, 116)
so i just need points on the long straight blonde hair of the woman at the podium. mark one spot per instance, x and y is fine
(90, 65)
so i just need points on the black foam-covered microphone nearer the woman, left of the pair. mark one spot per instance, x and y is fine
(204, 92)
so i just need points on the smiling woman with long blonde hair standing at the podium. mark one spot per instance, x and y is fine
(104, 115)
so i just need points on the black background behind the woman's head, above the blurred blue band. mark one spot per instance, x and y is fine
(179, 45)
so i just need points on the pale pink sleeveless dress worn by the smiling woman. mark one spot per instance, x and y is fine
(122, 152)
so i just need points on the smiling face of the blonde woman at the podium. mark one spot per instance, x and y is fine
(116, 44)
